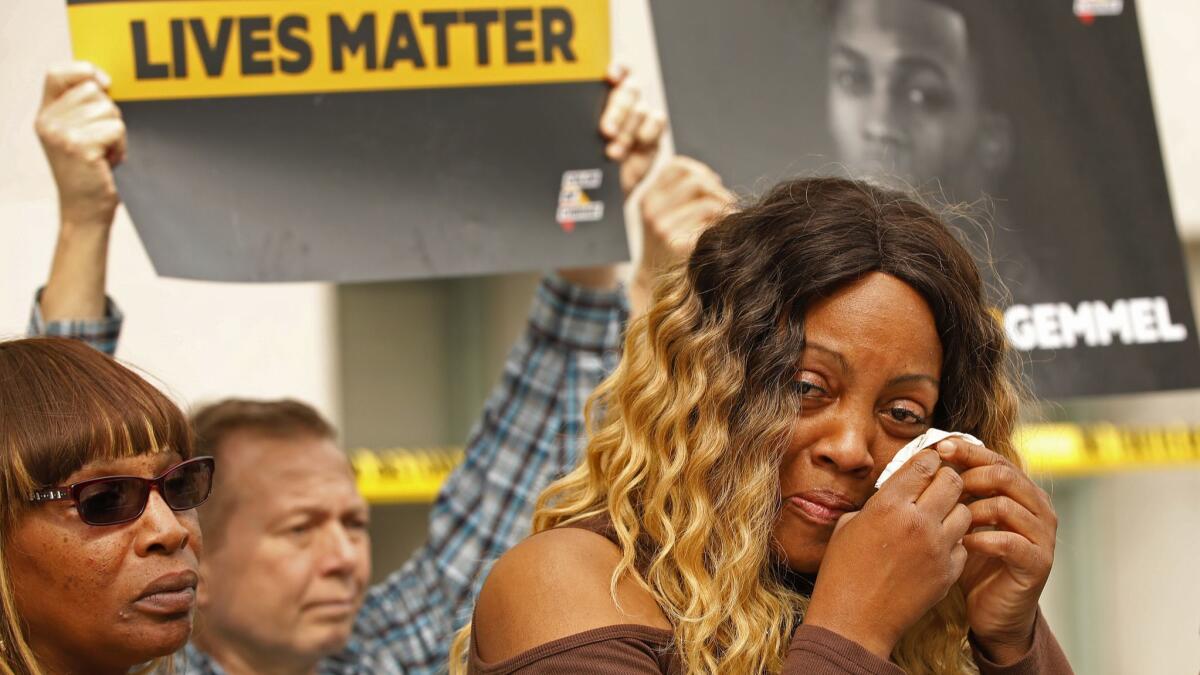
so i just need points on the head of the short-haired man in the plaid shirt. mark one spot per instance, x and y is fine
(286, 516)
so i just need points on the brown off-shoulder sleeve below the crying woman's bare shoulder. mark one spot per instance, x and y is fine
(615, 650)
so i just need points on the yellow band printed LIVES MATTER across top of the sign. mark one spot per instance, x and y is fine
(203, 49)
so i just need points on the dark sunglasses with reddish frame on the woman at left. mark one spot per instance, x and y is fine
(113, 500)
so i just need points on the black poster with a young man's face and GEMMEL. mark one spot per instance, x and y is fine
(1036, 115)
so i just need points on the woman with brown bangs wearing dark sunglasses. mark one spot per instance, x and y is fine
(99, 534)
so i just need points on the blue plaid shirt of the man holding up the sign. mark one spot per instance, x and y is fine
(530, 434)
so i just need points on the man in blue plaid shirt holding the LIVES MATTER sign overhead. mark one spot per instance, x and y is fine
(286, 566)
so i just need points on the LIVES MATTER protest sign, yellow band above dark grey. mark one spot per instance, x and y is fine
(365, 140)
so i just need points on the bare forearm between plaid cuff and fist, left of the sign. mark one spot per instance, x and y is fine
(76, 286)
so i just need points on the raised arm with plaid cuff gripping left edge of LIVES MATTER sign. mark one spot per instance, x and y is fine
(83, 136)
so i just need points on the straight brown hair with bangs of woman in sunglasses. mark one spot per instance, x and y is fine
(64, 405)
